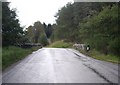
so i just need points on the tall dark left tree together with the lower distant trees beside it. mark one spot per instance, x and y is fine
(13, 33)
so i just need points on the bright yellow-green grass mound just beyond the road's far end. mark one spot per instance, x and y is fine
(60, 44)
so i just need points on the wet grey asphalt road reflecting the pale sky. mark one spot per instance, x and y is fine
(58, 65)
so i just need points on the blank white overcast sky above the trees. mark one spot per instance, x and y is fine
(29, 11)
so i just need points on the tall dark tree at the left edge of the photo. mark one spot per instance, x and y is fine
(11, 30)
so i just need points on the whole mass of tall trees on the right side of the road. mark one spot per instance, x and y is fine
(94, 23)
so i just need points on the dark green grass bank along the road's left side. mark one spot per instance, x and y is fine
(13, 54)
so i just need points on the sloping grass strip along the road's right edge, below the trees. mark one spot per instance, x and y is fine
(100, 56)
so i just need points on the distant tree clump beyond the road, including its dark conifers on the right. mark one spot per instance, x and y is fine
(39, 33)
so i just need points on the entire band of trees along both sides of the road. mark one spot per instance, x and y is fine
(91, 23)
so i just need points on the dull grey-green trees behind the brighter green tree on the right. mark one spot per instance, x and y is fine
(69, 17)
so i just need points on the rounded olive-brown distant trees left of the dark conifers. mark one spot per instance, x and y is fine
(36, 33)
